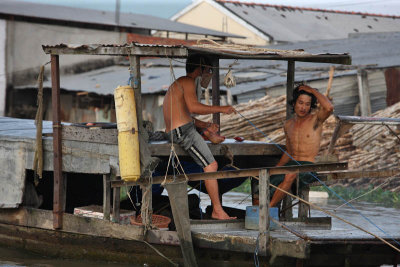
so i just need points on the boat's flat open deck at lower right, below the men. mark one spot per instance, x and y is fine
(338, 245)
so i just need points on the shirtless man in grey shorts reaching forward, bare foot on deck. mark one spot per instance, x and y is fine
(179, 103)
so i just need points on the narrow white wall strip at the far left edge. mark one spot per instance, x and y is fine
(3, 82)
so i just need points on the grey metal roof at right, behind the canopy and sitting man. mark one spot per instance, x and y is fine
(373, 50)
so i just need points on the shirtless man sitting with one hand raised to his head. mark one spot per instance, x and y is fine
(303, 136)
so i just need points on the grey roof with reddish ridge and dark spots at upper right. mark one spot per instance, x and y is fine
(293, 24)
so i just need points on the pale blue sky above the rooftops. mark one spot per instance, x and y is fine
(168, 8)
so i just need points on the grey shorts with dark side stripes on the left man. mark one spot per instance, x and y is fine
(191, 141)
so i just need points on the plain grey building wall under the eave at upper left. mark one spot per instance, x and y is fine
(25, 40)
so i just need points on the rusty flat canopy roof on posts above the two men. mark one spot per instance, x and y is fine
(222, 51)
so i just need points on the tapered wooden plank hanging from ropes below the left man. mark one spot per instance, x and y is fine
(177, 193)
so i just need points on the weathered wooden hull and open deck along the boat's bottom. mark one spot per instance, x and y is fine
(31, 228)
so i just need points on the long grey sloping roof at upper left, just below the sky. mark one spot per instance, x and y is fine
(89, 16)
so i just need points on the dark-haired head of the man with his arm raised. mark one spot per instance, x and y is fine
(303, 102)
